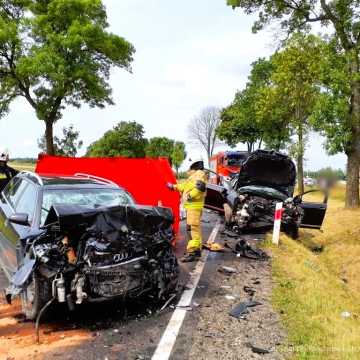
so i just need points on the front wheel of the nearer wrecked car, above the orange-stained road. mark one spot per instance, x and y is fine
(34, 297)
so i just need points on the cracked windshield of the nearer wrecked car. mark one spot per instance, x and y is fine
(87, 197)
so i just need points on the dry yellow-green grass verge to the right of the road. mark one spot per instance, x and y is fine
(317, 287)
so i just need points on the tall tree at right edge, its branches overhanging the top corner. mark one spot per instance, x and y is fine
(343, 17)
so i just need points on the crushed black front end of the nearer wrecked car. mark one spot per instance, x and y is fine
(90, 255)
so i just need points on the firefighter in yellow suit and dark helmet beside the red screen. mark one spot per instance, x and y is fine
(193, 192)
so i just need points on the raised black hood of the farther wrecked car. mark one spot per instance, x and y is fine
(268, 168)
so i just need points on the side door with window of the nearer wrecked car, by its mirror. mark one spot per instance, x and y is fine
(19, 195)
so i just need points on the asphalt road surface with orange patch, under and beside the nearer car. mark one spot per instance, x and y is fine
(102, 331)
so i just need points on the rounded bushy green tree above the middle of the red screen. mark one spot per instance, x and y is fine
(125, 139)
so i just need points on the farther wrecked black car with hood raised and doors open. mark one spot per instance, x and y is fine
(248, 201)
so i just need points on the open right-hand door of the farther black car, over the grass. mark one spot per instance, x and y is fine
(314, 212)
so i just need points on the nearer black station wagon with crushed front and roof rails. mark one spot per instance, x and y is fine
(78, 239)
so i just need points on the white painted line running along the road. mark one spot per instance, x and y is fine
(167, 341)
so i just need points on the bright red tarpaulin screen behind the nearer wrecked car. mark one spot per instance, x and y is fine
(145, 179)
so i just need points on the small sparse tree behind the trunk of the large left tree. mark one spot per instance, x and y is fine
(68, 145)
